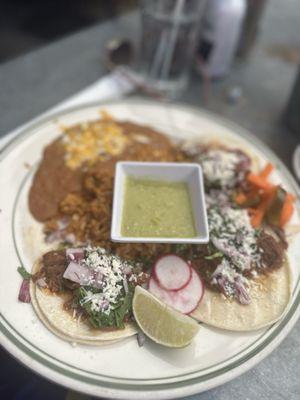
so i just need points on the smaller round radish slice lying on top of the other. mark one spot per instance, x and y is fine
(172, 272)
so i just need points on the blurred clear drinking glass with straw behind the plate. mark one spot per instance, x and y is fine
(169, 34)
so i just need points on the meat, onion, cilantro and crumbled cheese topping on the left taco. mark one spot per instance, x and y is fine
(98, 286)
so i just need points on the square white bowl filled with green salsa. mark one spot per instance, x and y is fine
(159, 202)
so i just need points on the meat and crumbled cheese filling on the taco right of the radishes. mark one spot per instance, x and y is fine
(237, 252)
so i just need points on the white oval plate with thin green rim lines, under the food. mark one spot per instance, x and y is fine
(122, 370)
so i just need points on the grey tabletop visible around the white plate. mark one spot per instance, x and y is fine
(37, 81)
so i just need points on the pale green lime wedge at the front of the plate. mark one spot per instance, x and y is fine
(161, 323)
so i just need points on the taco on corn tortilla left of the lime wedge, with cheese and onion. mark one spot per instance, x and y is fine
(84, 295)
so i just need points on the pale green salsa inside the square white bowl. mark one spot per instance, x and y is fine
(157, 209)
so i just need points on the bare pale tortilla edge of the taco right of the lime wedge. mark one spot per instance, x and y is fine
(269, 294)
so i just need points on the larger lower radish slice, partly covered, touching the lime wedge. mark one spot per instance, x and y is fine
(184, 300)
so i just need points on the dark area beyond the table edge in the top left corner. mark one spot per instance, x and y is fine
(28, 24)
